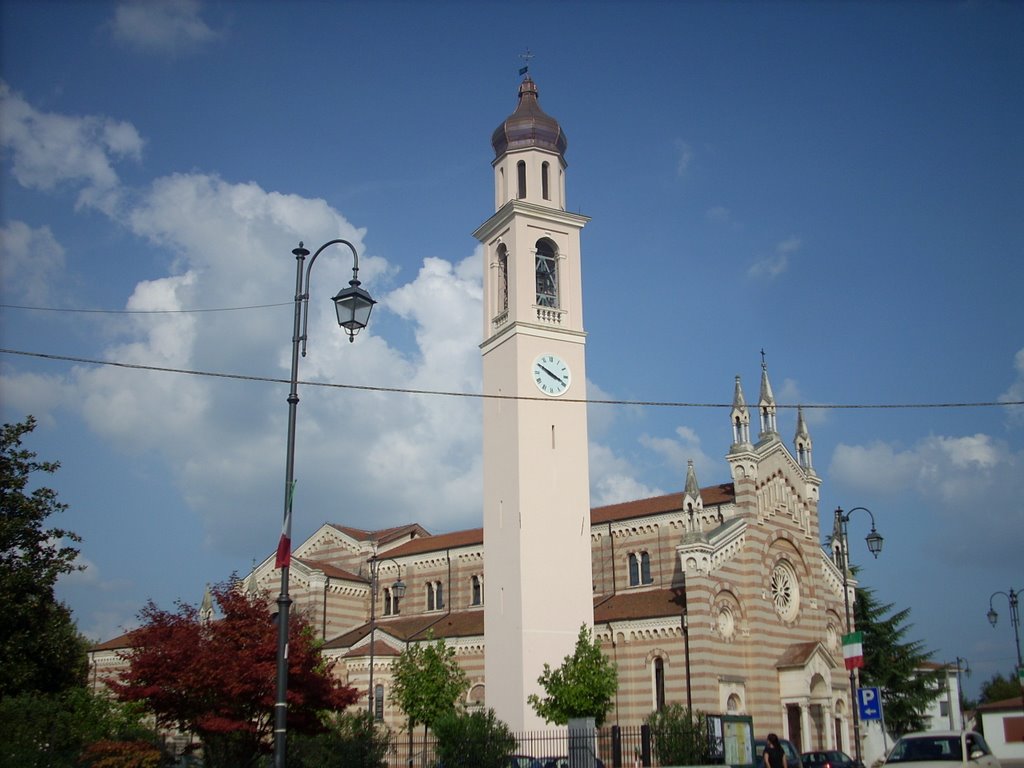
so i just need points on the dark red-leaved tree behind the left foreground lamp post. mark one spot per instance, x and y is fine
(218, 678)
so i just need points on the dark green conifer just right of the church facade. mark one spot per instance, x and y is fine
(895, 666)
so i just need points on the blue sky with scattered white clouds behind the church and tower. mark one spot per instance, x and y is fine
(841, 185)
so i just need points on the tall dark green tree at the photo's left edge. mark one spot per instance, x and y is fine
(40, 649)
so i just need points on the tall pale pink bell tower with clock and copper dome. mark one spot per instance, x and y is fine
(538, 587)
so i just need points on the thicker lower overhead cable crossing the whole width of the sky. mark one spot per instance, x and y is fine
(482, 396)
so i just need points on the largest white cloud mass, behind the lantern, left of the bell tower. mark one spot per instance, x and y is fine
(226, 441)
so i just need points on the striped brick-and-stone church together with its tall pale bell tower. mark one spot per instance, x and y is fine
(719, 598)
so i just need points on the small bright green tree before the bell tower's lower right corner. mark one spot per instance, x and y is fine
(583, 688)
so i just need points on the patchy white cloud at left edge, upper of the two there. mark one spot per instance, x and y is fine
(50, 150)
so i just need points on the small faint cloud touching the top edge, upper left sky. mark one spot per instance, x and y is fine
(161, 26)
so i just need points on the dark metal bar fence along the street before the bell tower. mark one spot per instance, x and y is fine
(612, 747)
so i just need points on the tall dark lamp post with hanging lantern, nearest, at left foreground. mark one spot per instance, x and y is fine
(354, 307)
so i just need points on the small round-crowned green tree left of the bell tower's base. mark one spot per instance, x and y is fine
(428, 682)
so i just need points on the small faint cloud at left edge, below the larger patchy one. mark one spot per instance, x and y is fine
(30, 260)
